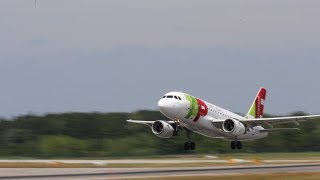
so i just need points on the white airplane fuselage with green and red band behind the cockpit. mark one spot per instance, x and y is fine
(199, 116)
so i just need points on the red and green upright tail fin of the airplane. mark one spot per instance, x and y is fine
(256, 109)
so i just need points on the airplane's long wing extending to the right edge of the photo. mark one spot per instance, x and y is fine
(279, 120)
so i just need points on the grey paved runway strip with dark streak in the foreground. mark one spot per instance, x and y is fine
(126, 173)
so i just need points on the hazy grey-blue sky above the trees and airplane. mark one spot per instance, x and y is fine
(99, 55)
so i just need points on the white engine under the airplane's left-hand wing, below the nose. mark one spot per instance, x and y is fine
(162, 129)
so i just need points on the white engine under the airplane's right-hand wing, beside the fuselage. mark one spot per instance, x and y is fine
(233, 127)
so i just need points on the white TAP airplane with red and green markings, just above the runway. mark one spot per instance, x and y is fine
(192, 114)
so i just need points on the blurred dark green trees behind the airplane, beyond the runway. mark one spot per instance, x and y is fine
(108, 134)
